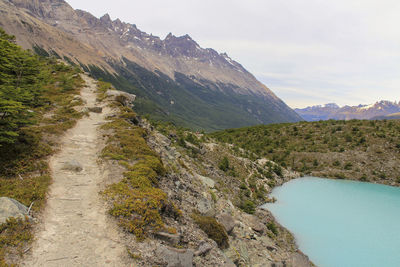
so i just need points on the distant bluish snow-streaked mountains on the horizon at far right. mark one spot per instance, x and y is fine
(362, 112)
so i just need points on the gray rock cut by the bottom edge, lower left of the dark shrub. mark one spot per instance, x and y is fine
(176, 257)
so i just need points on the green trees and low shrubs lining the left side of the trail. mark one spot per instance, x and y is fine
(36, 105)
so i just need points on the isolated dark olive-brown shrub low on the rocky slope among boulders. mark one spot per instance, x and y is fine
(213, 229)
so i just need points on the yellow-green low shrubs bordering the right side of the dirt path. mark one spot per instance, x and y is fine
(137, 202)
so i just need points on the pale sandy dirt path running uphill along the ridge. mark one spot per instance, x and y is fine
(76, 230)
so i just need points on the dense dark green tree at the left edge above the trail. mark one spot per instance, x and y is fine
(20, 87)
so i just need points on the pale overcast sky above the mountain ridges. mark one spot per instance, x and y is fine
(306, 51)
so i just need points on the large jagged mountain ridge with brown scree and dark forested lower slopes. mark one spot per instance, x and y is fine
(174, 78)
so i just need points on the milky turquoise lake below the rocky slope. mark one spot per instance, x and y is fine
(341, 223)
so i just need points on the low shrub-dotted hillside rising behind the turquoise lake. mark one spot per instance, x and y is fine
(360, 150)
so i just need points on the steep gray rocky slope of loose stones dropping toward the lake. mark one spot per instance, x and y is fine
(251, 242)
